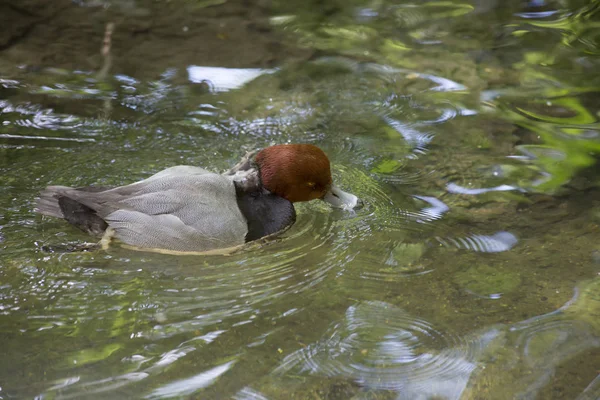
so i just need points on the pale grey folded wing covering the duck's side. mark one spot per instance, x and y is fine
(191, 213)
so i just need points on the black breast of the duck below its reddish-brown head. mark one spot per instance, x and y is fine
(265, 212)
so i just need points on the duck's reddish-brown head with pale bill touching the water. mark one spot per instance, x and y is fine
(300, 172)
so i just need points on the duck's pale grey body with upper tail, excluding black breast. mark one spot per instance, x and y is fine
(179, 209)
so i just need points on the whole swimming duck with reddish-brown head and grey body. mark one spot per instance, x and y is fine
(190, 209)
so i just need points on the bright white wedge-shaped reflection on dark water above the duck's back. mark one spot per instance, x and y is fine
(224, 79)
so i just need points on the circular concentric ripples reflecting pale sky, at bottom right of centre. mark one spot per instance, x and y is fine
(382, 347)
